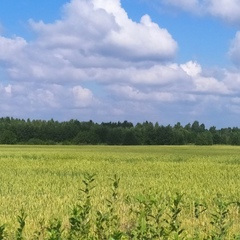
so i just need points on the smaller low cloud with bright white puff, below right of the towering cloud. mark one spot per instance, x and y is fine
(171, 83)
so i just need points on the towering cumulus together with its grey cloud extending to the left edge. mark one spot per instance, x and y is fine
(91, 35)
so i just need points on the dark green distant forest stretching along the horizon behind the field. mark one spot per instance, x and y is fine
(20, 131)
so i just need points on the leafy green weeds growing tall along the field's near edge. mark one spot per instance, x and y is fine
(150, 218)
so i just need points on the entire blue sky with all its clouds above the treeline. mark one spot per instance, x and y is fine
(164, 61)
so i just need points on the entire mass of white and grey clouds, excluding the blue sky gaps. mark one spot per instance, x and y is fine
(97, 63)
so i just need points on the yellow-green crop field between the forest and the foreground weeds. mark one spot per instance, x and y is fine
(45, 181)
